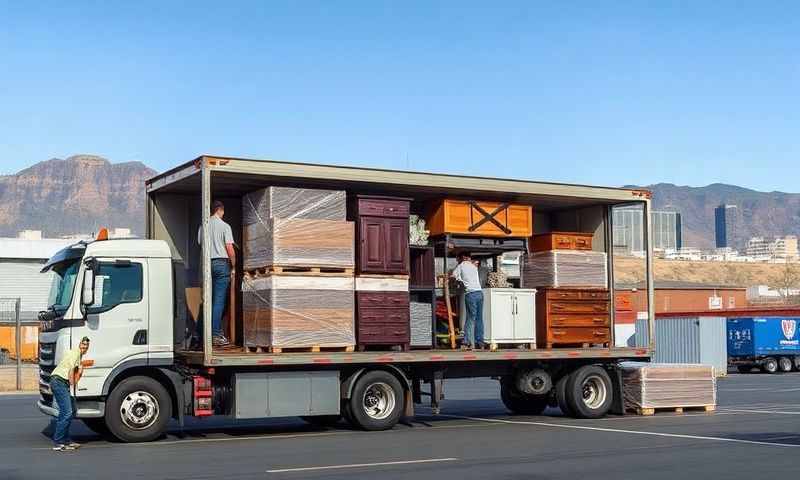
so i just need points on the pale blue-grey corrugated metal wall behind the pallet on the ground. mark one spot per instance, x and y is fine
(688, 340)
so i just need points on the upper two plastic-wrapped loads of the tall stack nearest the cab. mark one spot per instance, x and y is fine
(297, 227)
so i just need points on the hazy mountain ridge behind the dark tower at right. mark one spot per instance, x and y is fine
(763, 214)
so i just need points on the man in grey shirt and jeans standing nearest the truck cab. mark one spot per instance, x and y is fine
(223, 263)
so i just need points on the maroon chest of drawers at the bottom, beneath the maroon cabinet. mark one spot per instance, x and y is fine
(383, 318)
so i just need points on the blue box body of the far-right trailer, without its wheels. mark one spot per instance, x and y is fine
(763, 336)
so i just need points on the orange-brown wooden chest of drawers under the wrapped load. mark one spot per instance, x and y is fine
(572, 317)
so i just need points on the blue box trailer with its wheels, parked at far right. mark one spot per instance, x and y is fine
(772, 344)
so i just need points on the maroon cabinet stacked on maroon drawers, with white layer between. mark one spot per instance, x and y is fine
(382, 287)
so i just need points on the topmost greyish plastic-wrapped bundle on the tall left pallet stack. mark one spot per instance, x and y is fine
(288, 202)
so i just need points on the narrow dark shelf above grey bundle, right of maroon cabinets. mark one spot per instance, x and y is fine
(422, 288)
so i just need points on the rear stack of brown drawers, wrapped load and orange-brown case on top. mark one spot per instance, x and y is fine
(573, 302)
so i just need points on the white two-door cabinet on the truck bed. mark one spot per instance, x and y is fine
(509, 315)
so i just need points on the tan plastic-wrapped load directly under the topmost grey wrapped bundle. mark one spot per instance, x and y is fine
(299, 242)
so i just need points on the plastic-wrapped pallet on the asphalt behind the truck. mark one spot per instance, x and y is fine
(668, 385)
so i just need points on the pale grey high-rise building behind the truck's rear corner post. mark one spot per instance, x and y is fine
(666, 230)
